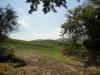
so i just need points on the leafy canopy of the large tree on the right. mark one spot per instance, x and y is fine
(83, 22)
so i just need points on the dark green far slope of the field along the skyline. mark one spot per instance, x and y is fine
(36, 44)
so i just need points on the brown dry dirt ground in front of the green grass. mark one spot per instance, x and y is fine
(37, 65)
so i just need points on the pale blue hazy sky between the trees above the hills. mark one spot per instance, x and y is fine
(38, 25)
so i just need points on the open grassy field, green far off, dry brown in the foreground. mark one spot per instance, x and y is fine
(43, 57)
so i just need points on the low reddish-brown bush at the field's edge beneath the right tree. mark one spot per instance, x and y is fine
(80, 54)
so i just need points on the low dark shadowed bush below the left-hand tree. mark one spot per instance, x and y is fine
(7, 55)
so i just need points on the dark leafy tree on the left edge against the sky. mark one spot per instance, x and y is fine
(8, 22)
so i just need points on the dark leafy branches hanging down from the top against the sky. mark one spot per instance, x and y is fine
(47, 5)
